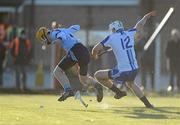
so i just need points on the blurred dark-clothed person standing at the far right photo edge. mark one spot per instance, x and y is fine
(173, 59)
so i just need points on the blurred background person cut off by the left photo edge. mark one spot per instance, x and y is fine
(2, 54)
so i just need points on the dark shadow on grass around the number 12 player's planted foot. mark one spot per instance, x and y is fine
(144, 113)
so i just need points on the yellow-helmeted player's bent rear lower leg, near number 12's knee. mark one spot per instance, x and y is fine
(88, 80)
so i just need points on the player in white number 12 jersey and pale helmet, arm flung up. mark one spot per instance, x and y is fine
(122, 44)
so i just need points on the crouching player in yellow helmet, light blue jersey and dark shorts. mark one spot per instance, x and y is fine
(77, 53)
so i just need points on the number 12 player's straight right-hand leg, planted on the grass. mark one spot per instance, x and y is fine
(137, 91)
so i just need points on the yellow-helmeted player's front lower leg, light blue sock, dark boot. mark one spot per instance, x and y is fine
(64, 81)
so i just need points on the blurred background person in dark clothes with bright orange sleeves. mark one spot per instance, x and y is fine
(21, 52)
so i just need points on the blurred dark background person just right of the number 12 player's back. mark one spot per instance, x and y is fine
(146, 59)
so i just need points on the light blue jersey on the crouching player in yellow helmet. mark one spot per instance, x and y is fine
(66, 36)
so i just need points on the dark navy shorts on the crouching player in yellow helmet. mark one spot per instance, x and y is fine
(78, 54)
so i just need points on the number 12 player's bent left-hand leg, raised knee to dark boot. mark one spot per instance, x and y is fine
(102, 77)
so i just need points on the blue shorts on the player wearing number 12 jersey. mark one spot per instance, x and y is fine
(122, 77)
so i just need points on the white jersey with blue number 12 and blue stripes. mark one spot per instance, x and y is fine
(122, 44)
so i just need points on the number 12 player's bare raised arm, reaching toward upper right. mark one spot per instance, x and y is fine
(139, 26)
